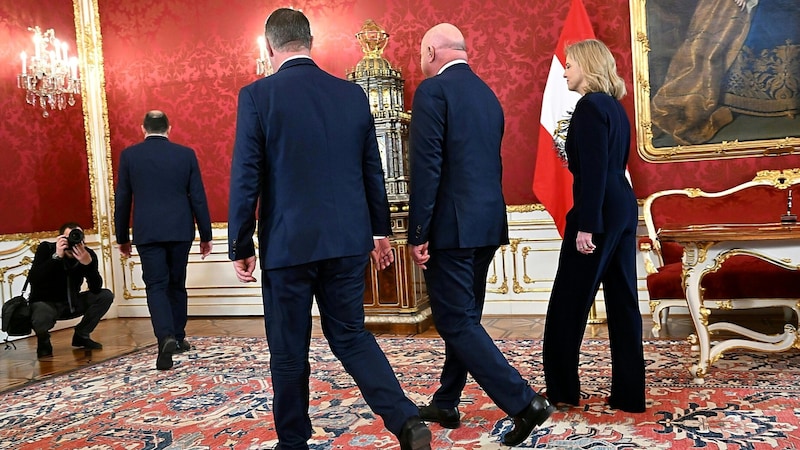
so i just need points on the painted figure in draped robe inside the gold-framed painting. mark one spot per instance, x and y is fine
(738, 57)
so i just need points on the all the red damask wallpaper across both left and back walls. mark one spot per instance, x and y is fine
(190, 58)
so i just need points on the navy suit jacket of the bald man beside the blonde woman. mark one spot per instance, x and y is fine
(456, 171)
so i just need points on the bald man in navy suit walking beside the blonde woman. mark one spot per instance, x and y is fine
(457, 221)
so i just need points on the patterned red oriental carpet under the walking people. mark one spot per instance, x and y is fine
(218, 397)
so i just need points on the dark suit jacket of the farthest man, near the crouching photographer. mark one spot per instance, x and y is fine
(162, 181)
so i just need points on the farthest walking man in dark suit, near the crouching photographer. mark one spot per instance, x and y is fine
(162, 181)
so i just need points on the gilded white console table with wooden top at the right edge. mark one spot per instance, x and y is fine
(706, 248)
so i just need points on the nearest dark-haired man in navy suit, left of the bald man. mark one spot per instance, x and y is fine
(306, 148)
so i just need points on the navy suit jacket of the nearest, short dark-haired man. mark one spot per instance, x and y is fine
(306, 147)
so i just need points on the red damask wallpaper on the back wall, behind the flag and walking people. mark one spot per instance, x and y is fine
(190, 58)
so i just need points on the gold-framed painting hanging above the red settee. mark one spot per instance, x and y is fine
(677, 46)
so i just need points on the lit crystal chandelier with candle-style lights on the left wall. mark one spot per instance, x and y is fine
(49, 76)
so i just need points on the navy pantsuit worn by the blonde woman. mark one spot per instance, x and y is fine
(597, 148)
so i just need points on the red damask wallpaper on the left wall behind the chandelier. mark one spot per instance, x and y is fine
(45, 178)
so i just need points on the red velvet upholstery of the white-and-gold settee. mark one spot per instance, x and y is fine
(740, 276)
